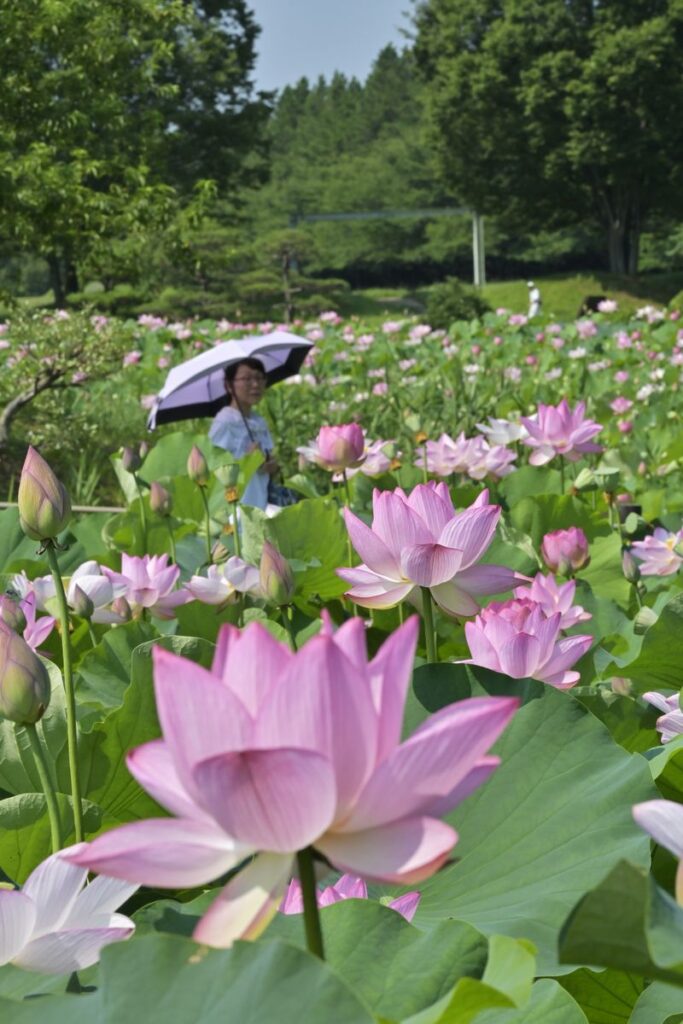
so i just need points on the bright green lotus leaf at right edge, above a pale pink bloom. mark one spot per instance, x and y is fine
(660, 665)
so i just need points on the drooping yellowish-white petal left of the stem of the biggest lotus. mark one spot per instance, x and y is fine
(248, 903)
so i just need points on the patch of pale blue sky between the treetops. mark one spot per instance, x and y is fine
(318, 37)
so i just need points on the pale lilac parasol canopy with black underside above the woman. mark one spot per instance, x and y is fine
(197, 389)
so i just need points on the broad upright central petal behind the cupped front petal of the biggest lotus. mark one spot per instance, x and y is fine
(324, 703)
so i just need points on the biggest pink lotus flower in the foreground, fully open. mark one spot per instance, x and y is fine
(273, 752)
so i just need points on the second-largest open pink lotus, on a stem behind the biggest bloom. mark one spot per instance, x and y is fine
(421, 541)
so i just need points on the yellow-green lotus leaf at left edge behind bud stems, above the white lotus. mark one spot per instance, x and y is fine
(25, 831)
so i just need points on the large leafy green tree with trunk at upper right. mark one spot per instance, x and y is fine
(551, 112)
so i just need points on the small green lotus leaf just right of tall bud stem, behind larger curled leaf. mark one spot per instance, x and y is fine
(104, 673)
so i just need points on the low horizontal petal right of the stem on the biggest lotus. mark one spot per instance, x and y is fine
(403, 852)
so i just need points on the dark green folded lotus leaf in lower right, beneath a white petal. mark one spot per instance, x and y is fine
(627, 923)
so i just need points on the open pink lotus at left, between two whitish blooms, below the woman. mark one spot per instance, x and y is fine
(149, 582)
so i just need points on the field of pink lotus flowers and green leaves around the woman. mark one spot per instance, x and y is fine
(408, 750)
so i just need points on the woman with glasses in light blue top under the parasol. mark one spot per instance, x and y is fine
(239, 431)
